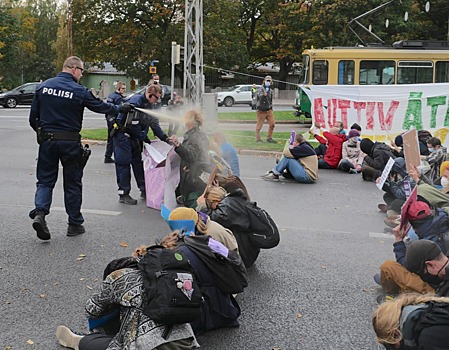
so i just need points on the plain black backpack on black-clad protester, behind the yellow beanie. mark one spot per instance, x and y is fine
(264, 232)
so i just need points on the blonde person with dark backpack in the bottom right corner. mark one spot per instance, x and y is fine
(413, 321)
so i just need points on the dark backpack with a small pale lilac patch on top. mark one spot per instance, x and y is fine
(227, 267)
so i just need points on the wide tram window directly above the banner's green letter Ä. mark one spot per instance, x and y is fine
(415, 72)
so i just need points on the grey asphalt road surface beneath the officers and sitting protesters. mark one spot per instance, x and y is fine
(314, 291)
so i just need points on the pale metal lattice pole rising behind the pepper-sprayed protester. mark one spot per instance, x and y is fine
(193, 52)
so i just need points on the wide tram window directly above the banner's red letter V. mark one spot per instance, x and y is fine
(376, 72)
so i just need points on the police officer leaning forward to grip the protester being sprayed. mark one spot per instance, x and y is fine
(132, 131)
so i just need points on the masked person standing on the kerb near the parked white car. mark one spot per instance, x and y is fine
(264, 107)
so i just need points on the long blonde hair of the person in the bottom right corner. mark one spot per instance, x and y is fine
(387, 316)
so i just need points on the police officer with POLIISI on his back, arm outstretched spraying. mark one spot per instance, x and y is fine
(56, 115)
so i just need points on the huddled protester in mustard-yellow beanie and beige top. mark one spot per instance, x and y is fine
(205, 226)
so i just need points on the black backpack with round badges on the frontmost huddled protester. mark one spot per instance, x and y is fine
(171, 291)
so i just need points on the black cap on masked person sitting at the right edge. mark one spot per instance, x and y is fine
(418, 252)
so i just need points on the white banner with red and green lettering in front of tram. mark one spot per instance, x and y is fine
(383, 111)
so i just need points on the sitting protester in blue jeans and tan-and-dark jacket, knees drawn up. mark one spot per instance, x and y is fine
(299, 161)
